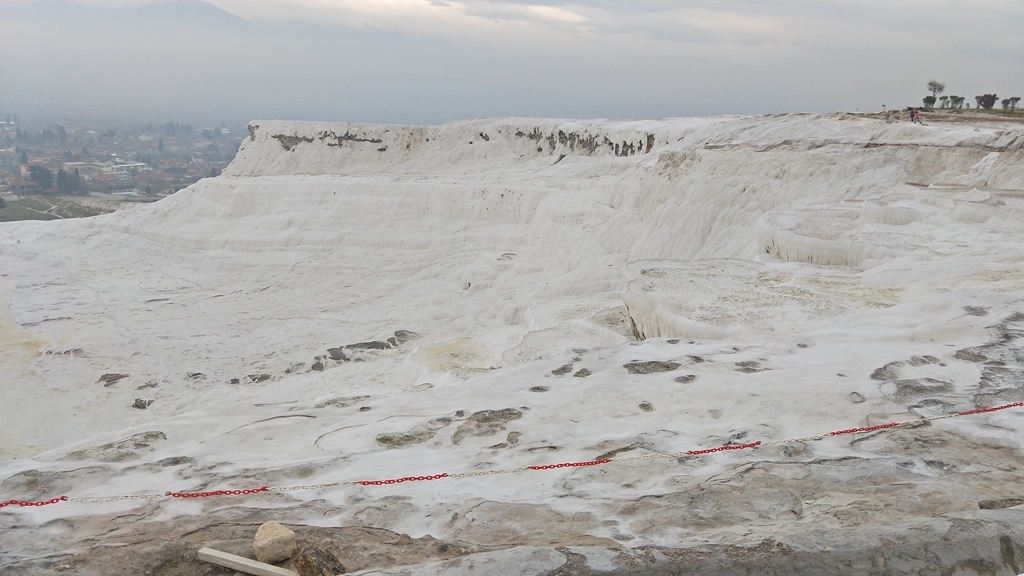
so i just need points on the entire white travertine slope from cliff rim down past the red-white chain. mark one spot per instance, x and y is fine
(793, 274)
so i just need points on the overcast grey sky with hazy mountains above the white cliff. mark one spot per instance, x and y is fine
(434, 61)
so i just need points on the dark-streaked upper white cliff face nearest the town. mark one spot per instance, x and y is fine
(347, 148)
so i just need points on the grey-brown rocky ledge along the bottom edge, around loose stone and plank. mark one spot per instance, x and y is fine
(985, 542)
